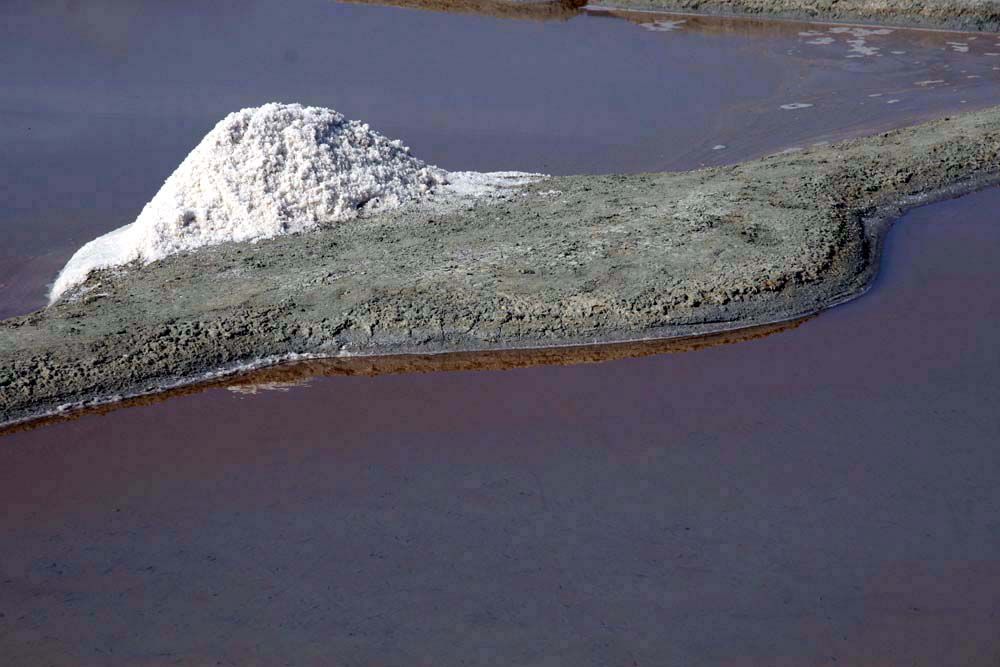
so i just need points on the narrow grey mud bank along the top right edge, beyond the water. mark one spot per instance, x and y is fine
(980, 15)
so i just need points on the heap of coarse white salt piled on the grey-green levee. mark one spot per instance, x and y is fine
(272, 170)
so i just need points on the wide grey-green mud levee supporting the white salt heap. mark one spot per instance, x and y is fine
(568, 260)
